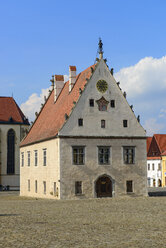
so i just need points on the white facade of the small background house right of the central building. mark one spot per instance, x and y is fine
(154, 172)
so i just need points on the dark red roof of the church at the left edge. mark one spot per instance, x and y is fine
(10, 111)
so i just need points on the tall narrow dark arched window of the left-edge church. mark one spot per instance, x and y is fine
(10, 151)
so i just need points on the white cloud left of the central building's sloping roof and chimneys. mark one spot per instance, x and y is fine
(33, 104)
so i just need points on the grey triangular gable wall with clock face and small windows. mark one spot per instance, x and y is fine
(92, 116)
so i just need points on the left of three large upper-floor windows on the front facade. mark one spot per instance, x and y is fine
(77, 154)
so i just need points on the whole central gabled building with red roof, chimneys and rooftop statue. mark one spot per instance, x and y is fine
(86, 141)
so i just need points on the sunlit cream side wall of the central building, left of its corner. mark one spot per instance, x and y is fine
(40, 173)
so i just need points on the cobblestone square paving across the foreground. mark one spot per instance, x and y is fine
(112, 222)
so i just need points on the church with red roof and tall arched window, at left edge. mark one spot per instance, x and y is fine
(13, 127)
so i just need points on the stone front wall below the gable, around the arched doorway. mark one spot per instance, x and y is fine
(91, 170)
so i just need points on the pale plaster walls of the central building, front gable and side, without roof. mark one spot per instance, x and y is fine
(60, 169)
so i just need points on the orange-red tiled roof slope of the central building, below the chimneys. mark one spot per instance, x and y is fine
(52, 116)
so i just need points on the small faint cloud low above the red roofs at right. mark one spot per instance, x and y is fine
(152, 127)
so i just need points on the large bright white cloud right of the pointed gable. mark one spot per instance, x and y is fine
(148, 75)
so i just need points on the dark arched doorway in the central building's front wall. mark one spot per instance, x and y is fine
(104, 187)
